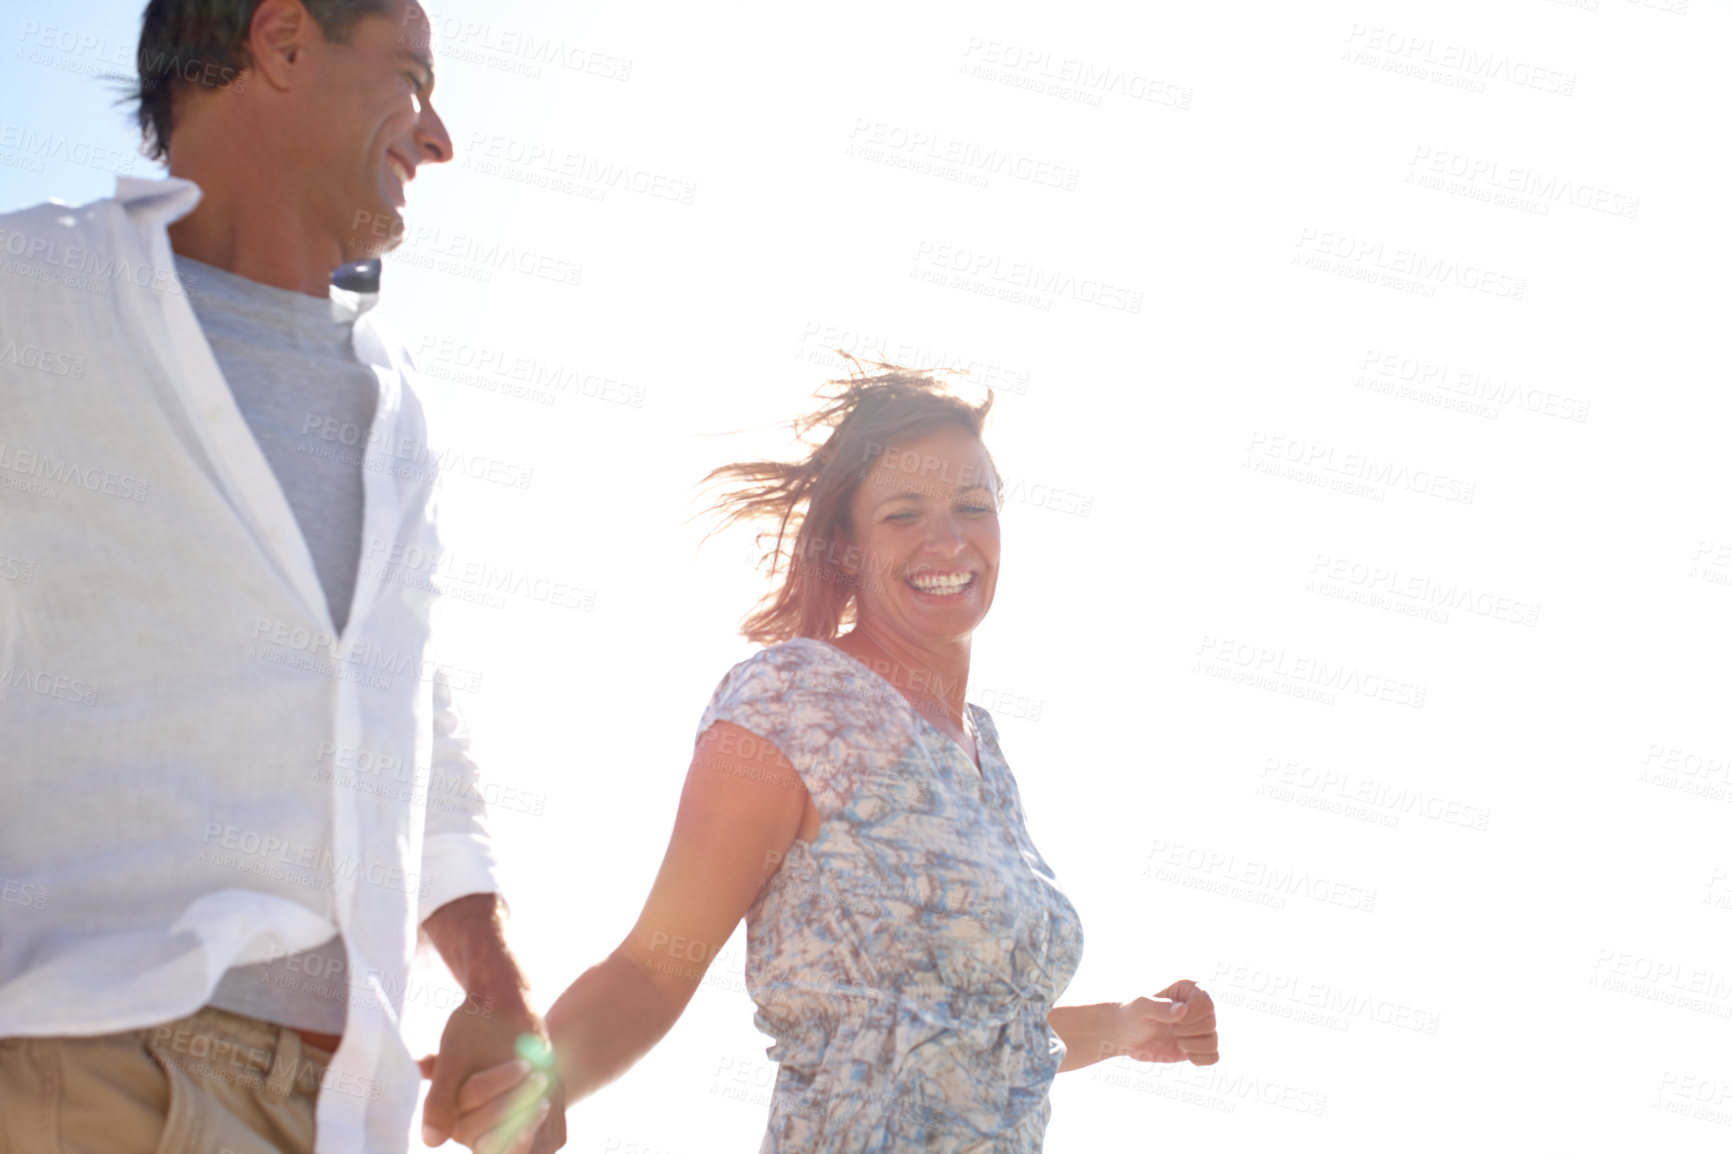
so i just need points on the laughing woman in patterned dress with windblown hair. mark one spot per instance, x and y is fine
(907, 942)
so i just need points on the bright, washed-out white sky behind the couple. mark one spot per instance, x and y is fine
(1362, 639)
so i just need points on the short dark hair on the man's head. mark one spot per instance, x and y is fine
(188, 44)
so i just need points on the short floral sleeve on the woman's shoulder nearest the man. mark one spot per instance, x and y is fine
(784, 697)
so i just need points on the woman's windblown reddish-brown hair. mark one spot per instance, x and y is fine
(806, 503)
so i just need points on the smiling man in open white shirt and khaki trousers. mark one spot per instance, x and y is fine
(217, 841)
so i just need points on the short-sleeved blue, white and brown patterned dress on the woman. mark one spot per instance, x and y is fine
(907, 959)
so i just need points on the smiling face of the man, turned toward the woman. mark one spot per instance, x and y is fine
(370, 124)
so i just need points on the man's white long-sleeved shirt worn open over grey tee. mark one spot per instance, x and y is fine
(193, 772)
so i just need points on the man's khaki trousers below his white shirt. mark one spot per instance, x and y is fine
(210, 1084)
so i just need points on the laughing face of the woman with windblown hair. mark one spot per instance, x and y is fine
(926, 538)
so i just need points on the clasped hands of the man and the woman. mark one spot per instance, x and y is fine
(486, 1098)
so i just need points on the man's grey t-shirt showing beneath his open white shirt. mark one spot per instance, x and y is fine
(309, 403)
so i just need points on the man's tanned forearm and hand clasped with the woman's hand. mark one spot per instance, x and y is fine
(494, 1028)
